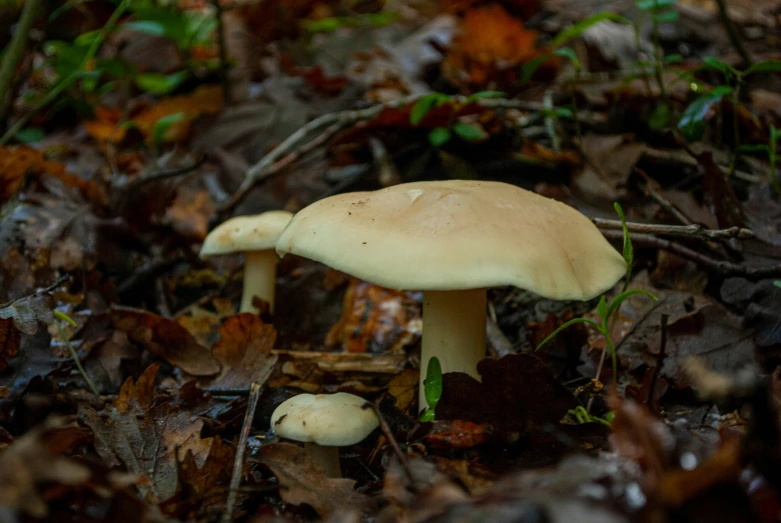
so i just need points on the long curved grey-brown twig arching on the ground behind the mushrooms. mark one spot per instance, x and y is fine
(335, 121)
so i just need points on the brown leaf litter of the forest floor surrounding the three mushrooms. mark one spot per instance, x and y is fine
(125, 369)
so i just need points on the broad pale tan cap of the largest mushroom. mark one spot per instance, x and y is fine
(455, 235)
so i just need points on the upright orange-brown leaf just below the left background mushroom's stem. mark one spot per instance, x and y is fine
(244, 351)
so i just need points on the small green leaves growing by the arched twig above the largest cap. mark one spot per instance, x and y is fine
(439, 136)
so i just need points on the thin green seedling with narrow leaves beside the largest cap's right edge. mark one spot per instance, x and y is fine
(609, 312)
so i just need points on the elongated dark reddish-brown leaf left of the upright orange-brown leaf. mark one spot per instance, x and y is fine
(166, 339)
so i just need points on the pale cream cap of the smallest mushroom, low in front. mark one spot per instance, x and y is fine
(333, 420)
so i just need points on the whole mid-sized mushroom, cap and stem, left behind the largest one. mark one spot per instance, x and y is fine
(255, 236)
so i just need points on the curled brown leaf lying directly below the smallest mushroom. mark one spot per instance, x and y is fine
(301, 480)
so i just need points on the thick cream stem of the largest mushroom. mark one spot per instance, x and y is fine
(453, 331)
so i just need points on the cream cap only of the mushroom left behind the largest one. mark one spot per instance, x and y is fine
(246, 233)
